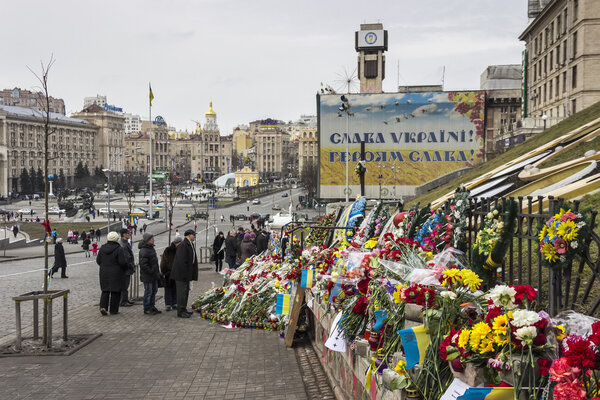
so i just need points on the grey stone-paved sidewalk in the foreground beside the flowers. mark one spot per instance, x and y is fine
(161, 357)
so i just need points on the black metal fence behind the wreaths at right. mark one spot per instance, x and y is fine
(576, 287)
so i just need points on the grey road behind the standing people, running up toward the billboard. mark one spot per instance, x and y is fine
(18, 277)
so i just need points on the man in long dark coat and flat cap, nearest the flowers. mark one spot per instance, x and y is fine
(185, 270)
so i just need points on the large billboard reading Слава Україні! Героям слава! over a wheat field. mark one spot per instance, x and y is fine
(410, 139)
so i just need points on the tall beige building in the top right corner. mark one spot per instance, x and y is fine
(562, 58)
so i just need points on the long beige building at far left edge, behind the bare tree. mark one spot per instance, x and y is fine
(22, 145)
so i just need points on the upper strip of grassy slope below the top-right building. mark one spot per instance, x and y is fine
(556, 131)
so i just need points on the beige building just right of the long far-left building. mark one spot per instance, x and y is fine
(109, 146)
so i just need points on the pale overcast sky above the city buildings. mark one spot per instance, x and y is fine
(253, 59)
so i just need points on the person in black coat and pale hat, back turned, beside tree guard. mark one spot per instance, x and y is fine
(113, 264)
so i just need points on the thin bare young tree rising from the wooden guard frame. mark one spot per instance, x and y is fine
(43, 102)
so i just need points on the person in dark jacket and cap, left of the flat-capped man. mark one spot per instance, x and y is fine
(149, 273)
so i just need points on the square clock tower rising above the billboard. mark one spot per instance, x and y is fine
(371, 43)
